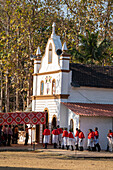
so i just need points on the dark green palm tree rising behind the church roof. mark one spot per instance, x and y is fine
(91, 51)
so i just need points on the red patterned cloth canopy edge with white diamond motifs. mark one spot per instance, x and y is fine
(23, 118)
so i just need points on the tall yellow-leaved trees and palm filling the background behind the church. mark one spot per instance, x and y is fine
(26, 24)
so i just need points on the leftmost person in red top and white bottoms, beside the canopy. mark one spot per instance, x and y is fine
(46, 134)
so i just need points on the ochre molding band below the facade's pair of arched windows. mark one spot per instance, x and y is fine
(57, 96)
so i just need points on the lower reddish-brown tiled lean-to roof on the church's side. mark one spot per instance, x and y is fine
(90, 109)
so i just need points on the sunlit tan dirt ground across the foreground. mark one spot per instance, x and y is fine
(45, 160)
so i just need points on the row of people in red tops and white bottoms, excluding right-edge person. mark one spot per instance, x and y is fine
(61, 138)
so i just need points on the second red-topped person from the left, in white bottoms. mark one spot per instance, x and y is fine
(55, 137)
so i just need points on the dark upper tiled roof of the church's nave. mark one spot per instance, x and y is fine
(92, 76)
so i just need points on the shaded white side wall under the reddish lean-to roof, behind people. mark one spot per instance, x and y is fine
(103, 124)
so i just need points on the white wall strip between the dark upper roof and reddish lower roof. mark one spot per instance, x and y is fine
(90, 95)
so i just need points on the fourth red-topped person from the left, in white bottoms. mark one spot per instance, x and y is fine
(65, 139)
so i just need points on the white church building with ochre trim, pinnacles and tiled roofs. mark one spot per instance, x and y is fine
(73, 95)
